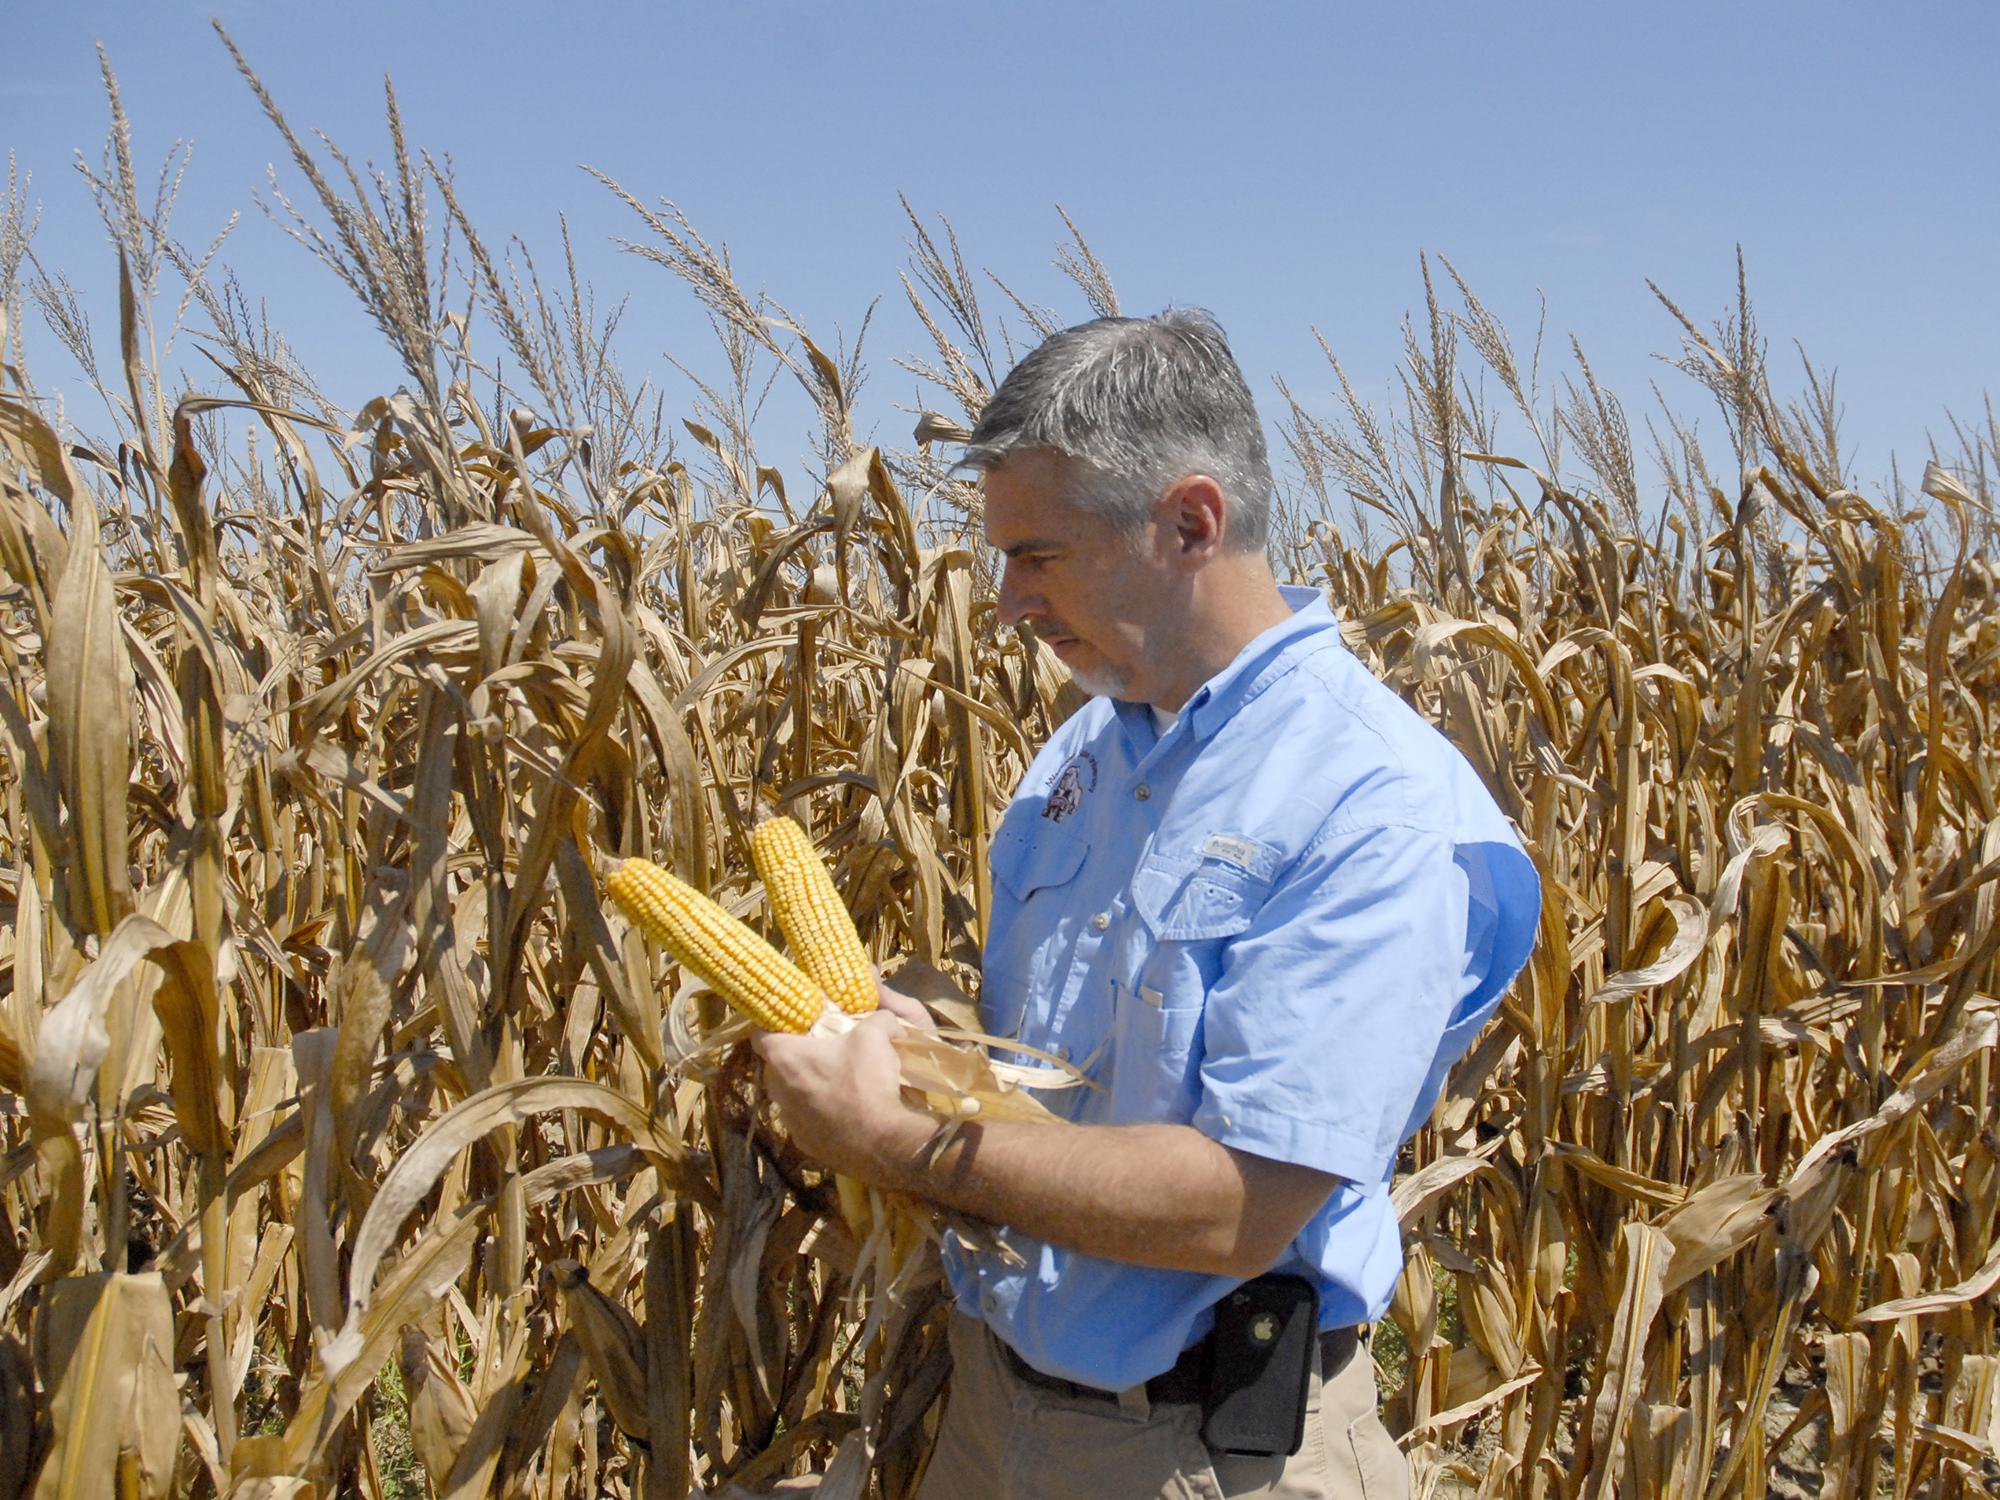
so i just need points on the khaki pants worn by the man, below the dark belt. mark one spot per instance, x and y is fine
(1009, 1441)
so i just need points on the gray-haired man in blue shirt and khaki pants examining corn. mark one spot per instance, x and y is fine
(1253, 895)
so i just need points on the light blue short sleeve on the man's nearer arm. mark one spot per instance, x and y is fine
(1361, 981)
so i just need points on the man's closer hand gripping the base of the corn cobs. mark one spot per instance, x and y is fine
(841, 1097)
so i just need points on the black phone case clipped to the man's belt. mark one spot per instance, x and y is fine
(1261, 1367)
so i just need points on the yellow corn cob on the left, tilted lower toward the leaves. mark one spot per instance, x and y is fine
(741, 967)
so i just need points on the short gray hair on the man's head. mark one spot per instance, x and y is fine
(1141, 403)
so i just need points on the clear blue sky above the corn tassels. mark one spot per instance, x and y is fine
(1283, 165)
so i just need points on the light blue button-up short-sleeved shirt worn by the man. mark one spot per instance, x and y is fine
(1279, 921)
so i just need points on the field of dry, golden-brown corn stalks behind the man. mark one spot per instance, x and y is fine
(353, 1145)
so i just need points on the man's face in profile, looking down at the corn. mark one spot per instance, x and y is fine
(1103, 601)
